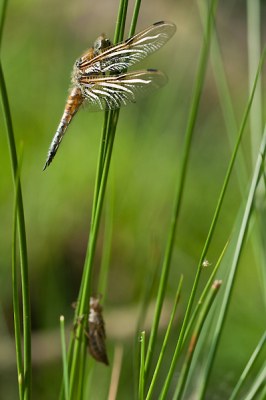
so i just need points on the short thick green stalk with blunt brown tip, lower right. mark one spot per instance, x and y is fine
(202, 316)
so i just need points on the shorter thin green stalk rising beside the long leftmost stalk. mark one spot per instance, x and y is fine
(16, 293)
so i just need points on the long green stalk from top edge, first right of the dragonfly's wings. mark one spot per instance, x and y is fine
(180, 186)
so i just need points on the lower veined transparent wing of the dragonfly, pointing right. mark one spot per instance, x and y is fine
(115, 91)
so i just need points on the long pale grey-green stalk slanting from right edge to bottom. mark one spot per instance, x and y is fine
(229, 286)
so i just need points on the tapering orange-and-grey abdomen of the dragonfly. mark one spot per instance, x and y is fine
(73, 103)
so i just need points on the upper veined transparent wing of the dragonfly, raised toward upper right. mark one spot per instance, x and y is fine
(123, 55)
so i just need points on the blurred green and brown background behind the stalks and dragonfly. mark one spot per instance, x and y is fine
(40, 44)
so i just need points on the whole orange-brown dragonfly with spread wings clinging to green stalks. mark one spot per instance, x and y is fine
(99, 79)
